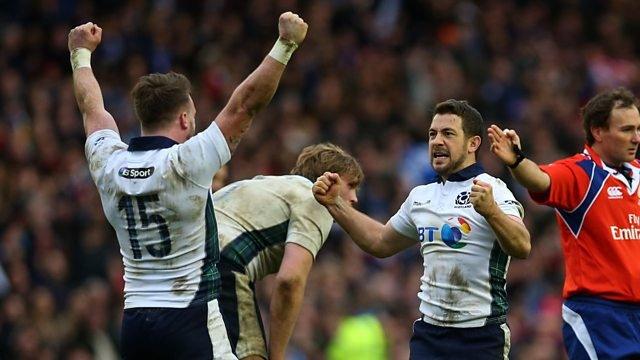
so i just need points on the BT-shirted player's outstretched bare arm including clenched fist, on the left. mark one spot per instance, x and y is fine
(370, 235)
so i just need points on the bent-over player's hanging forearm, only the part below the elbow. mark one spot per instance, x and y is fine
(286, 302)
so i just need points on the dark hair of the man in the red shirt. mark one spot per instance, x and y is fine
(598, 110)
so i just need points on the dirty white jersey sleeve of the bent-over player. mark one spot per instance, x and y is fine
(309, 224)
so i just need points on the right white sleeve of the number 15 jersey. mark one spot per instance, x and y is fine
(200, 157)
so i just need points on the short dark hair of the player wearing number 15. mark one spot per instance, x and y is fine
(158, 97)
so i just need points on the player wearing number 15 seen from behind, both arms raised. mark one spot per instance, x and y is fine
(155, 194)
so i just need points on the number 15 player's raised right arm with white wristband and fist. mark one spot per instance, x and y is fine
(256, 91)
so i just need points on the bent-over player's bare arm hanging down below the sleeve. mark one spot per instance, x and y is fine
(287, 297)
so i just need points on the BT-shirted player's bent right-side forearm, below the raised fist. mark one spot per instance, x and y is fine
(513, 237)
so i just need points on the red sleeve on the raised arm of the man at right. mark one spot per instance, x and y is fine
(565, 189)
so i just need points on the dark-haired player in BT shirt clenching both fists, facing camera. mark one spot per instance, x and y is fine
(468, 225)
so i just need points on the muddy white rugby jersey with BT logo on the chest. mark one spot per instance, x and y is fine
(464, 280)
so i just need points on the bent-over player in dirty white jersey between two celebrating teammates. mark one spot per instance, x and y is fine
(272, 224)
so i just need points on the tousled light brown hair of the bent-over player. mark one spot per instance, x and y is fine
(315, 160)
